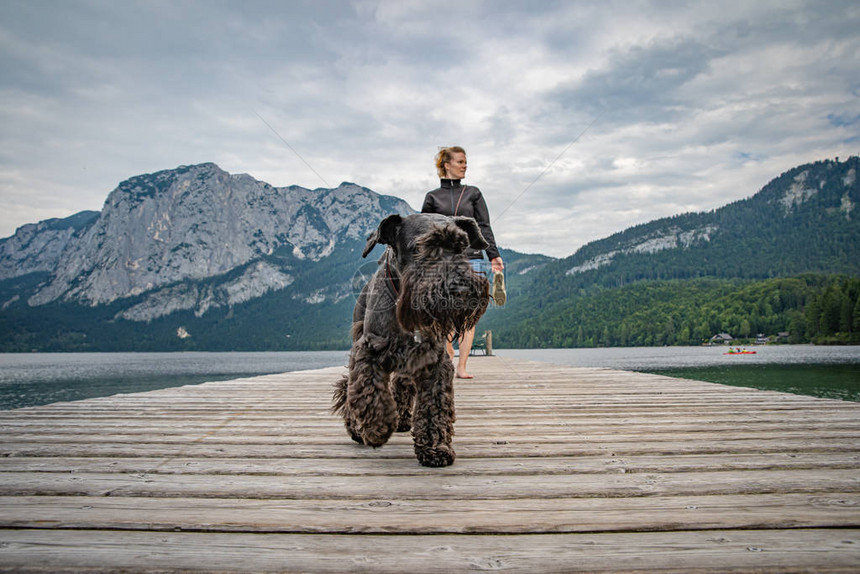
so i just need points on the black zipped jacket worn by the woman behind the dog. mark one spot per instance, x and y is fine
(453, 198)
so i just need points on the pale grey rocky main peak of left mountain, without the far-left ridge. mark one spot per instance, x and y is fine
(195, 222)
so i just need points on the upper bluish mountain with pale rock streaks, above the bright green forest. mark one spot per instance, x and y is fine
(768, 234)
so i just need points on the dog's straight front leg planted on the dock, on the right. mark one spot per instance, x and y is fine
(433, 419)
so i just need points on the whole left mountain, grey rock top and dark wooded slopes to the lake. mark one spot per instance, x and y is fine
(195, 258)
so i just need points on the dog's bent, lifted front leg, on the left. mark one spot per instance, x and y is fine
(370, 404)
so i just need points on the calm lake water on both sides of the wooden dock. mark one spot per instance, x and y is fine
(42, 378)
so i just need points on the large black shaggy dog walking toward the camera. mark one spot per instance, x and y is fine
(400, 375)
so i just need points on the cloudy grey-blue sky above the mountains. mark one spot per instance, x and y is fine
(579, 118)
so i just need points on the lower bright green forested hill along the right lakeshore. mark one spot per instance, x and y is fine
(811, 308)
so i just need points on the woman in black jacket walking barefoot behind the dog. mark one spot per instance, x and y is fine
(454, 198)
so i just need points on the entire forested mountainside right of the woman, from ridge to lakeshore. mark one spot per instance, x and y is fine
(784, 260)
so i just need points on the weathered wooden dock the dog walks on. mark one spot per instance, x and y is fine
(559, 469)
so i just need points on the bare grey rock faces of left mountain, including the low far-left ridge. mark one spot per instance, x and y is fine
(160, 234)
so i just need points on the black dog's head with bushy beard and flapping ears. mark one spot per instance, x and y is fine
(439, 292)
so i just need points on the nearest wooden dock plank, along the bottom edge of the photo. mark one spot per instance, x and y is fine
(679, 552)
